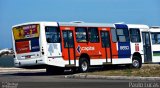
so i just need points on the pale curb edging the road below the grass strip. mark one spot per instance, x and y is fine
(112, 77)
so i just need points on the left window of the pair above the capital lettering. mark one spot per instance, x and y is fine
(81, 34)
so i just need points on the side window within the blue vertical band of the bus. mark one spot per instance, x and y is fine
(123, 35)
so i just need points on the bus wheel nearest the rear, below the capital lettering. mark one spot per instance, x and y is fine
(83, 65)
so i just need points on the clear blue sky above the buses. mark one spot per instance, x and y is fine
(14, 12)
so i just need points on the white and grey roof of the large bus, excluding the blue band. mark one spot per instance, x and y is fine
(83, 24)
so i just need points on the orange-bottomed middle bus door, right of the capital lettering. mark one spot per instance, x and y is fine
(106, 43)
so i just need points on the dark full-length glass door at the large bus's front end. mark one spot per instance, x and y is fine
(147, 47)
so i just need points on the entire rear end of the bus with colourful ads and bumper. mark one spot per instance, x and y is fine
(26, 45)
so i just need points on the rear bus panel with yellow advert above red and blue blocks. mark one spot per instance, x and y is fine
(26, 38)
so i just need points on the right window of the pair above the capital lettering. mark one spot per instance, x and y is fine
(93, 34)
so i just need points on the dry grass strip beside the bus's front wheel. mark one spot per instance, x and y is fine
(145, 71)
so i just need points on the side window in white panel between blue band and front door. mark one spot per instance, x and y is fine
(135, 35)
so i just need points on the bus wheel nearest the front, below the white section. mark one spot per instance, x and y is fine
(136, 62)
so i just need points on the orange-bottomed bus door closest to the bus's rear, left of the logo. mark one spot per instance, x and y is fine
(68, 46)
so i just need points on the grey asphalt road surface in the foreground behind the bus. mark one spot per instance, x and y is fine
(22, 78)
